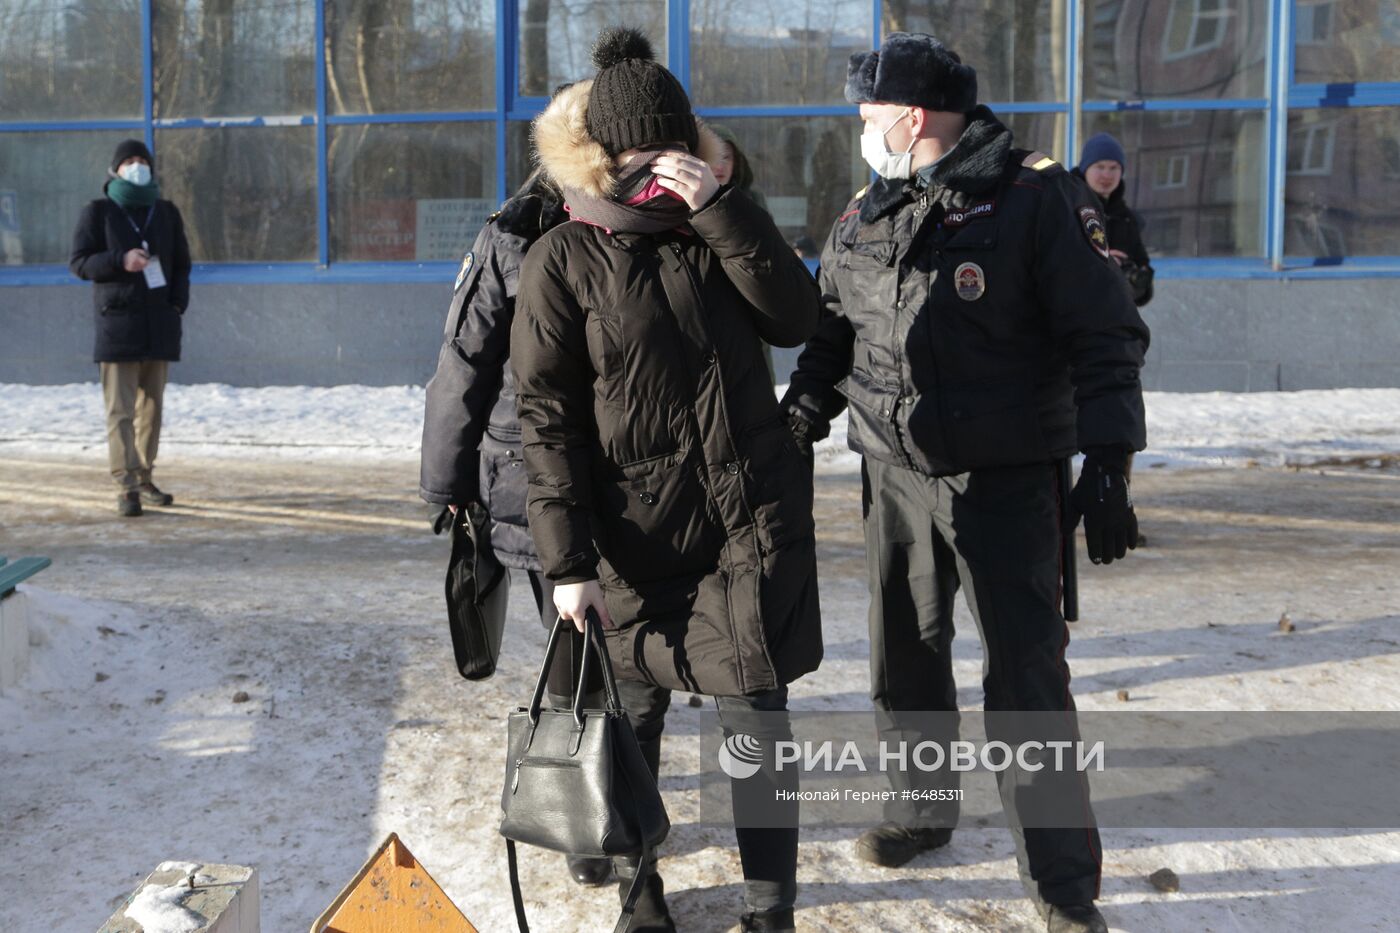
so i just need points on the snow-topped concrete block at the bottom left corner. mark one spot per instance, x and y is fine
(201, 899)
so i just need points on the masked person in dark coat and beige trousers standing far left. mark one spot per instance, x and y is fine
(132, 247)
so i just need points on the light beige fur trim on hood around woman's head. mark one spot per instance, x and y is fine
(576, 162)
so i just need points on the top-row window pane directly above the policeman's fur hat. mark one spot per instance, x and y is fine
(1018, 47)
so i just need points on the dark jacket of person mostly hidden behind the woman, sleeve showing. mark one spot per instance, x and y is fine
(471, 434)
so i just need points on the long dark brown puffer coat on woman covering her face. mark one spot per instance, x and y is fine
(659, 459)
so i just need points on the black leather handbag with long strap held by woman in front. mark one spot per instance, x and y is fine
(576, 780)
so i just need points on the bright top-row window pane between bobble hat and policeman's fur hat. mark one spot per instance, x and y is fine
(747, 54)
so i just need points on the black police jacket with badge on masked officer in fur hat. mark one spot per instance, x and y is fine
(978, 322)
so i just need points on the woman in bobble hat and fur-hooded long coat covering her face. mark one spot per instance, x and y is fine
(666, 492)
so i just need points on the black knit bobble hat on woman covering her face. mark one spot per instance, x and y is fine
(635, 102)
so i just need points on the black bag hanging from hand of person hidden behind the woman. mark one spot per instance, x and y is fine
(478, 588)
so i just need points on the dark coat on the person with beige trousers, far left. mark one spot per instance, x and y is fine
(134, 323)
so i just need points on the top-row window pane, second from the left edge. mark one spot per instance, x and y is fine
(216, 58)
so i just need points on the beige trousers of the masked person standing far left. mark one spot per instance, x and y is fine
(134, 394)
